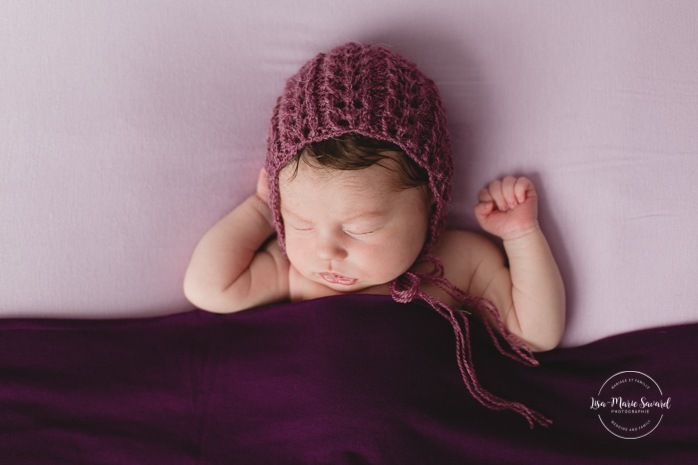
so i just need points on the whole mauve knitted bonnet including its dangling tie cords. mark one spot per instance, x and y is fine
(373, 92)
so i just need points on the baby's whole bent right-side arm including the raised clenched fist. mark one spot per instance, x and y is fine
(529, 294)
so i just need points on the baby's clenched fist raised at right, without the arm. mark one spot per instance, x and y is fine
(508, 208)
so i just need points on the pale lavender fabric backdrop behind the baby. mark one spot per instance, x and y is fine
(127, 128)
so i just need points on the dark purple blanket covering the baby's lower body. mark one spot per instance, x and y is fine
(341, 380)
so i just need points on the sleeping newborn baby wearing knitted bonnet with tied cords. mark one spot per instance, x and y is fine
(355, 188)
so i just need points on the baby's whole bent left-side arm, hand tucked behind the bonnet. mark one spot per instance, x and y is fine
(235, 266)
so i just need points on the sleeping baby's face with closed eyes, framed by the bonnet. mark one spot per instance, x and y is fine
(350, 230)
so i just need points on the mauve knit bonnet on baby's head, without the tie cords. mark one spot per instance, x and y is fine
(366, 90)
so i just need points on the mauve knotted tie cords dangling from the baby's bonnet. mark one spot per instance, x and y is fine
(407, 288)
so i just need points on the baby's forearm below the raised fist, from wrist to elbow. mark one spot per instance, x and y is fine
(537, 290)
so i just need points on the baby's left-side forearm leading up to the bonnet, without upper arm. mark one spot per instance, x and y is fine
(228, 248)
